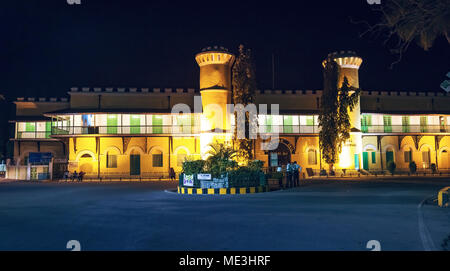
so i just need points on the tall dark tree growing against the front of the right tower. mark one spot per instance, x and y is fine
(334, 119)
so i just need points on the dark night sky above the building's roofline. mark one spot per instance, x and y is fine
(49, 46)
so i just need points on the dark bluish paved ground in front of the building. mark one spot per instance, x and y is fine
(324, 215)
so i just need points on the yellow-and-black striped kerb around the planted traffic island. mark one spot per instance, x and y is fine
(223, 191)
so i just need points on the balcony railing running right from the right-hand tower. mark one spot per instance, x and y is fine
(401, 129)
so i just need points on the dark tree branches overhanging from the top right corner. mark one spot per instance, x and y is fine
(421, 21)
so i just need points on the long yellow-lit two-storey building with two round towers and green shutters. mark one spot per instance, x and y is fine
(135, 133)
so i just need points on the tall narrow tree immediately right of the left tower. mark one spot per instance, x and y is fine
(244, 88)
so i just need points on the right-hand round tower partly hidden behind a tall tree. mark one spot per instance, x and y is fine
(349, 64)
